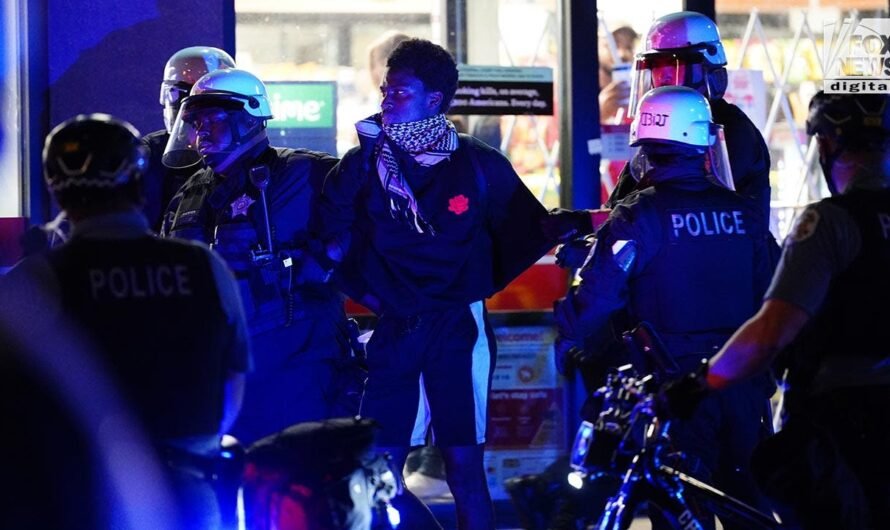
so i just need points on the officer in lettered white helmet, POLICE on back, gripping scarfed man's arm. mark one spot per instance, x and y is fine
(680, 255)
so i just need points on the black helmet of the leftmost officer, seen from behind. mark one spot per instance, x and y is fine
(93, 160)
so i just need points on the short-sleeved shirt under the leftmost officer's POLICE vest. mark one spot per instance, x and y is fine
(33, 289)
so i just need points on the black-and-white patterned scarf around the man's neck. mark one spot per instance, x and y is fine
(429, 141)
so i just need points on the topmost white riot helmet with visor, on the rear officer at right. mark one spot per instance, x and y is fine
(682, 49)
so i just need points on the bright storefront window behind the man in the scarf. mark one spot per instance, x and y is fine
(294, 42)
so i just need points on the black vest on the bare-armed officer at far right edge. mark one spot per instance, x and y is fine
(855, 315)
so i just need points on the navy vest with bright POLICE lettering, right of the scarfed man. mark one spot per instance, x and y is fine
(701, 281)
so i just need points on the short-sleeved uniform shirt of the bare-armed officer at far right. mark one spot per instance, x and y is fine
(823, 243)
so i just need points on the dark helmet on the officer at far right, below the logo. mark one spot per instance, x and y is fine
(847, 123)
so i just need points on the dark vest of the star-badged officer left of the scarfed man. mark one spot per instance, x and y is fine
(227, 213)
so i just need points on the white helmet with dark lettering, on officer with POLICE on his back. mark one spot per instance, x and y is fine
(678, 120)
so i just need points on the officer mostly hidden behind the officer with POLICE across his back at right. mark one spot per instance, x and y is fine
(684, 49)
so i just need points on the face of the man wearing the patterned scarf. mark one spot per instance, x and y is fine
(405, 99)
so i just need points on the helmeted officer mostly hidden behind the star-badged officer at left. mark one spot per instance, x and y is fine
(182, 70)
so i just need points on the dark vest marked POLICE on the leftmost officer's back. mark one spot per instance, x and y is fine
(152, 309)
